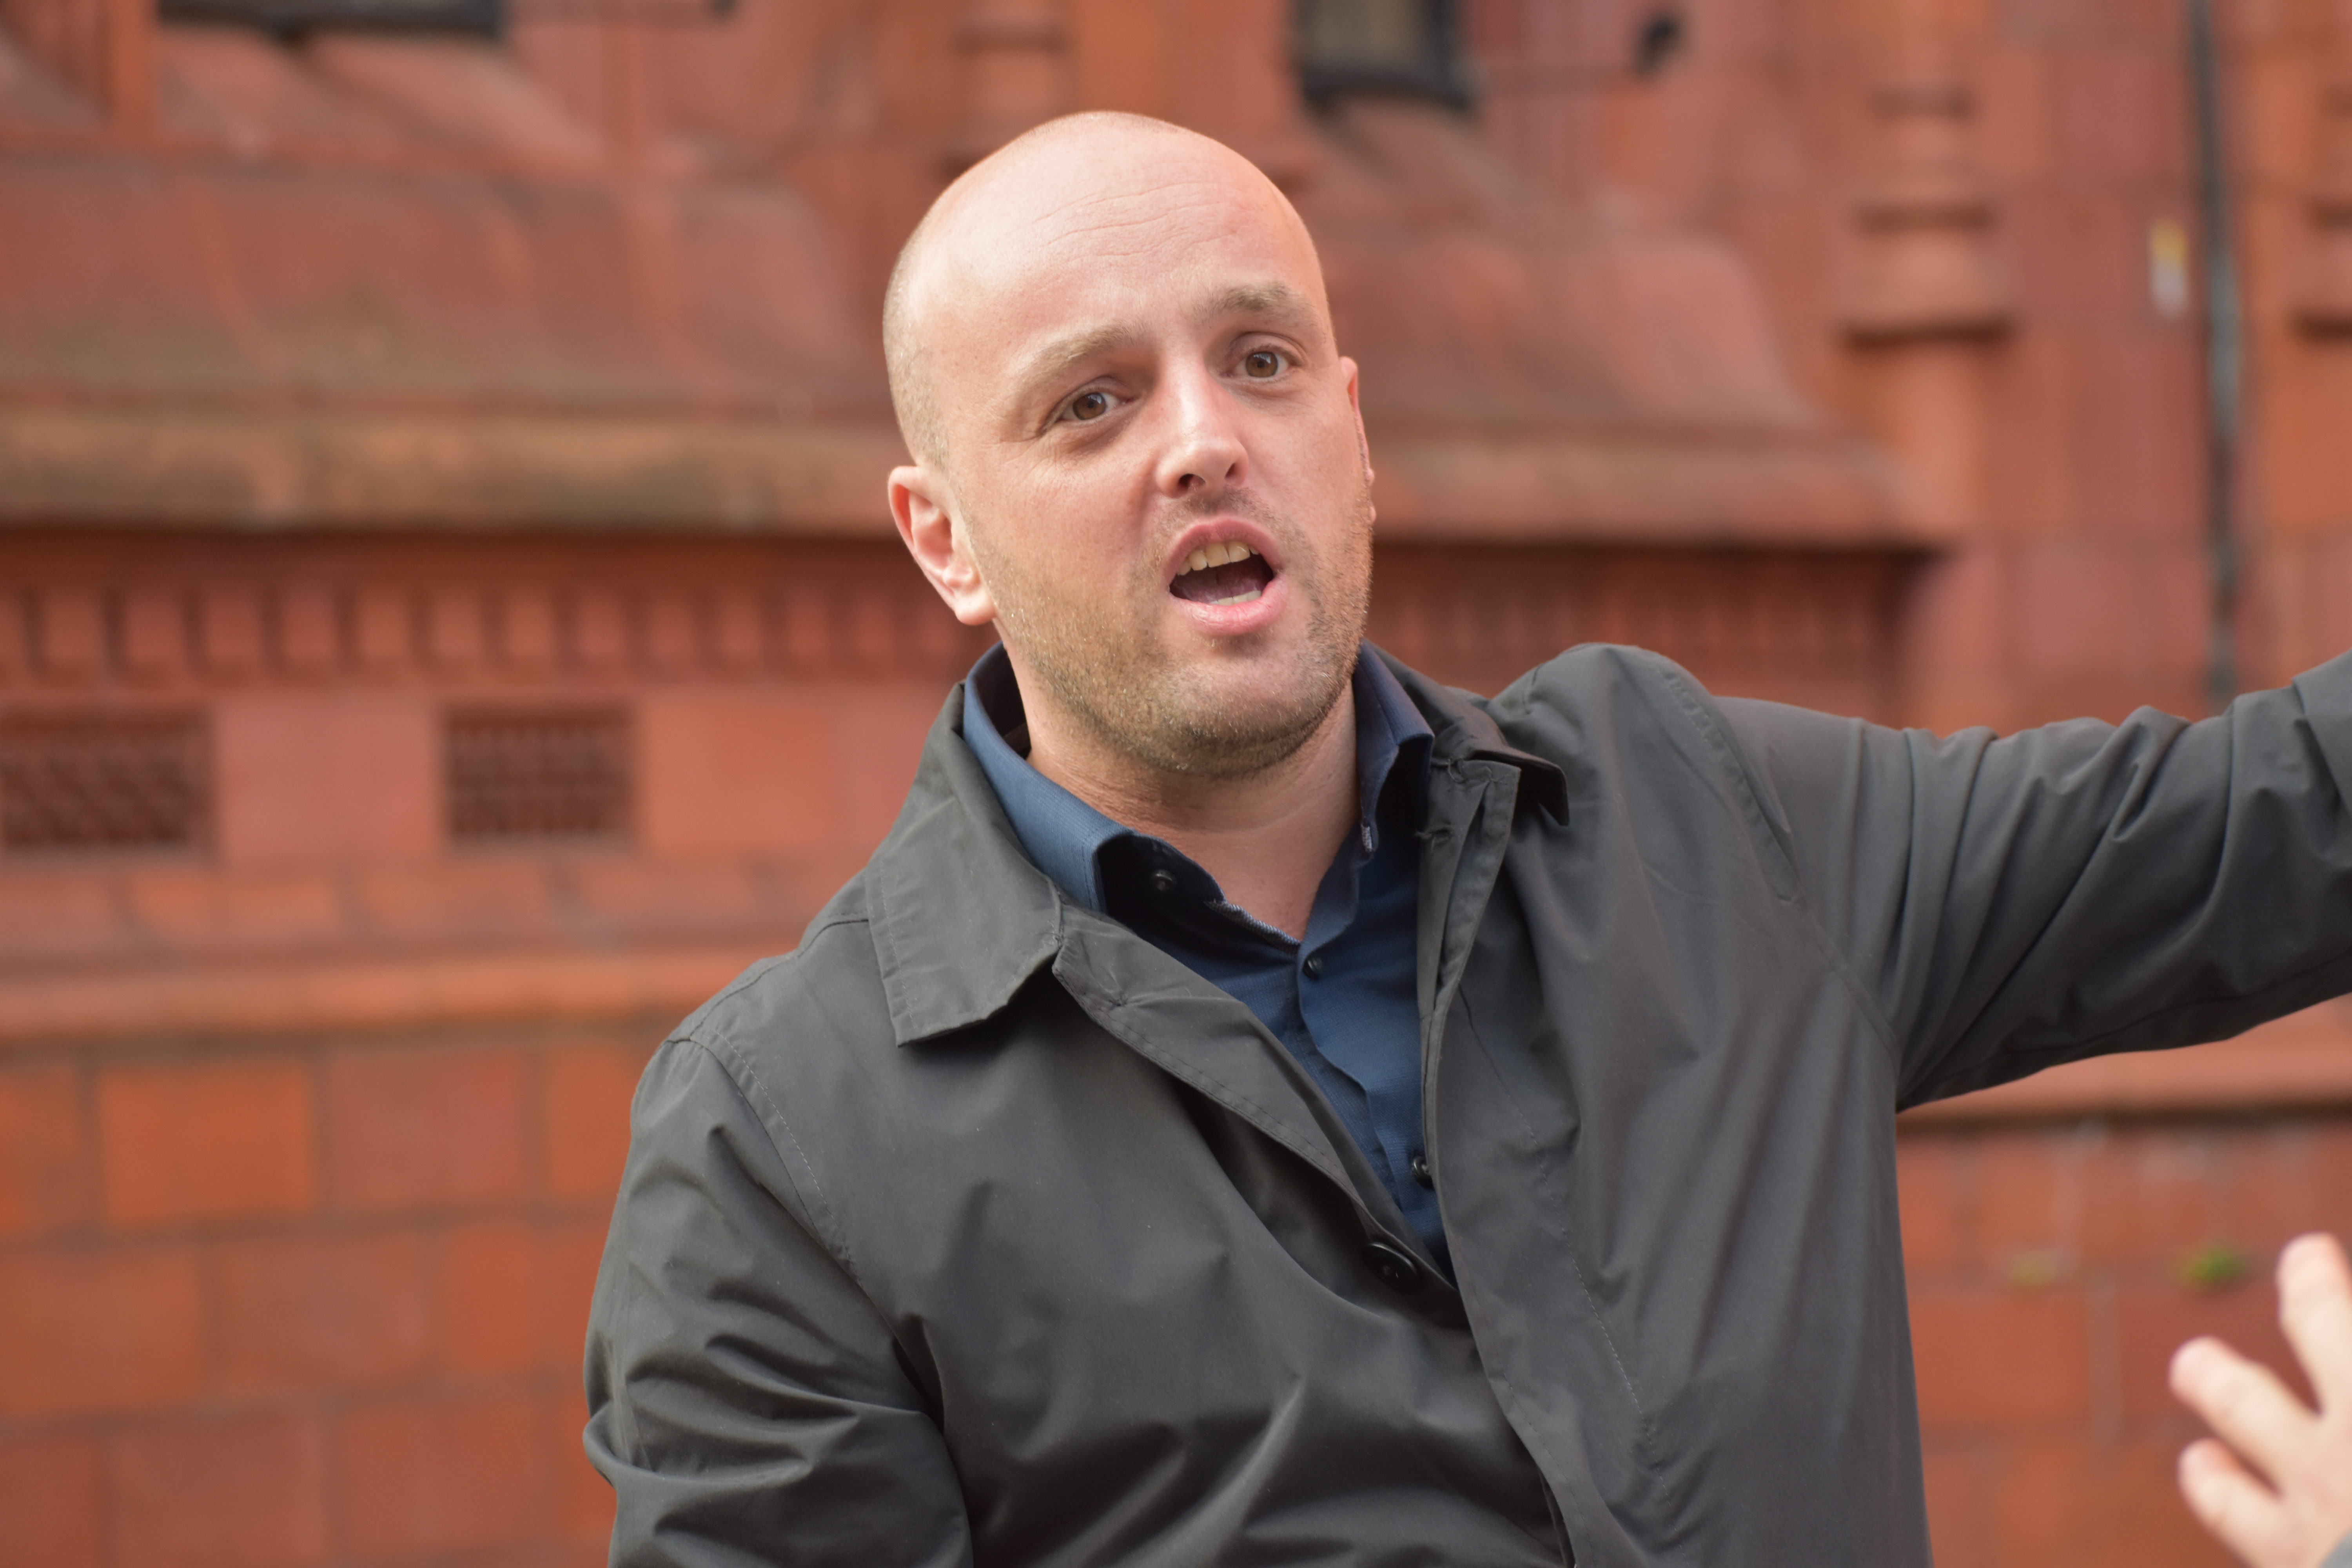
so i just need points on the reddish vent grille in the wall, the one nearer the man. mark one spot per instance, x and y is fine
(537, 775)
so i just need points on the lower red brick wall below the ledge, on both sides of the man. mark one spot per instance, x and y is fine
(321, 1301)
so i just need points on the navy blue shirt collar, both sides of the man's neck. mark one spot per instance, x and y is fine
(1064, 836)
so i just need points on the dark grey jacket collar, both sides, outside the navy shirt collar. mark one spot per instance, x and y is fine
(963, 918)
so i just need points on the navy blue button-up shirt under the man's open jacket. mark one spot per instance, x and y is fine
(1344, 998)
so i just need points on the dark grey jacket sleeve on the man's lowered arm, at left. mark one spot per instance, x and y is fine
(744, 1398)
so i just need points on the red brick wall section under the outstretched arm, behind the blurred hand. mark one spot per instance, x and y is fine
(2054, 1271)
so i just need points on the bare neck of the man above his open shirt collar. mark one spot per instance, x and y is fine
(1267, 838)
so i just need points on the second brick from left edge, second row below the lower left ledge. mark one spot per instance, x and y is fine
(298, 1313)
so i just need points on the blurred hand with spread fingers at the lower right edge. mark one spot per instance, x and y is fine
(2278, 1489)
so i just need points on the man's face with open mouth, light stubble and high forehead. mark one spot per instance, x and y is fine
(1156, 457)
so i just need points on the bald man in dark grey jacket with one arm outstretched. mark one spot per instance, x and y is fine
(1267, 1108)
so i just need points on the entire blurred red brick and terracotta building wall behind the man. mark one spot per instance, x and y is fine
(450, 624)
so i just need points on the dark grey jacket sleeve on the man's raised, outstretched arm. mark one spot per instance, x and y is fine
(2012, 904)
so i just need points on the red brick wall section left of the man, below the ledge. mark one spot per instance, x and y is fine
(305, 1301)
